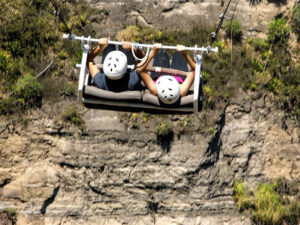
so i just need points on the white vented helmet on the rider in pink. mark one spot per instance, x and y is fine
(167, 88)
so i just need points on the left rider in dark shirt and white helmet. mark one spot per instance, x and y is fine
(115, 75)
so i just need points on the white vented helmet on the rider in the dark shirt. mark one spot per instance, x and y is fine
(115, 65)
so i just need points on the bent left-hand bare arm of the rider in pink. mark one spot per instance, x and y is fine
(150, 84)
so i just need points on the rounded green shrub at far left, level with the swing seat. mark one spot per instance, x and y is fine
(28, 90)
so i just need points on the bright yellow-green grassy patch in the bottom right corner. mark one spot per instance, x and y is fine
(269, 204)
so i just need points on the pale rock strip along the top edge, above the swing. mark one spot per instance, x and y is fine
(254, 16)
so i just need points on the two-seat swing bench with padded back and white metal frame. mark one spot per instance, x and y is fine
(93, 97)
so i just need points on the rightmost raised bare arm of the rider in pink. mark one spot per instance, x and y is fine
(187, 83)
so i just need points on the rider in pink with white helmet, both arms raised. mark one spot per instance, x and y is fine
(168, 88)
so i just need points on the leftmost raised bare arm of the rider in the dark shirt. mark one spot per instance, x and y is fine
(93, 69)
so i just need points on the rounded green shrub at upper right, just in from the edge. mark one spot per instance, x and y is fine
(278, 31)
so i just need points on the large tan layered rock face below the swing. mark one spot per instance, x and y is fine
(124, 176)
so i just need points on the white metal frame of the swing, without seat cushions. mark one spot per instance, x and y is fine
(84, 76)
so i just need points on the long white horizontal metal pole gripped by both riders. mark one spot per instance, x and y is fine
(74, 37)
